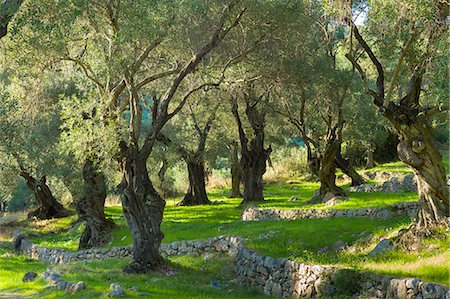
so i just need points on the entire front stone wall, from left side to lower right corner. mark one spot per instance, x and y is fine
(279, 277)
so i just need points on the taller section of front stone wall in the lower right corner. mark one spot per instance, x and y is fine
(286, 278)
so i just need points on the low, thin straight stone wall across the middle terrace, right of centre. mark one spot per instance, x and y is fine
(252, 213)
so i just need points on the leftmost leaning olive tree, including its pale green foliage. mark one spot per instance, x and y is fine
(30, 133)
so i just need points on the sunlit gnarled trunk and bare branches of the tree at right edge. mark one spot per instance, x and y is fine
(413, 125)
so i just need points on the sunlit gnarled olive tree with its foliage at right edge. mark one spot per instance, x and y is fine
(420, 35)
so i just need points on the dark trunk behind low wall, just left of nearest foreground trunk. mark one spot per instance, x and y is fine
(91, 209)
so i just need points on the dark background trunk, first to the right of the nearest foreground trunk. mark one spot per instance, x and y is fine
(196, 194)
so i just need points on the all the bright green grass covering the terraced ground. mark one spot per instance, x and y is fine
(298, 239)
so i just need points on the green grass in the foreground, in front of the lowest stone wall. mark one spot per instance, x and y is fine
(192, 277)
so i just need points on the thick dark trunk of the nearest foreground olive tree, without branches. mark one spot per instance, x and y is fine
(143, 209)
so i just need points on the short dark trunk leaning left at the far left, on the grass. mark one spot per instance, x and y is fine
(48, 207)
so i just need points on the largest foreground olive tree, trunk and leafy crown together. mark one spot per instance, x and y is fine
(127, 52)
